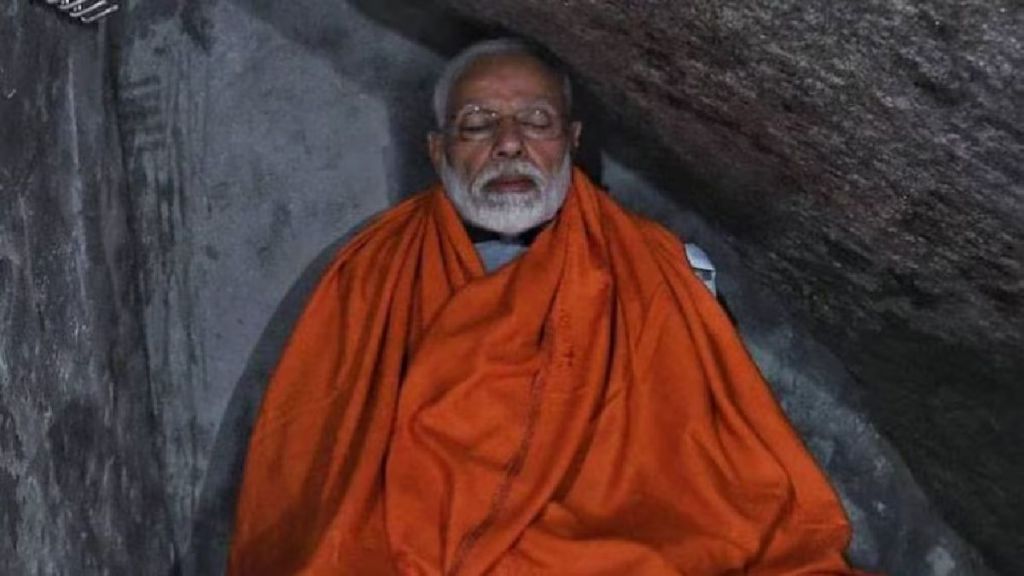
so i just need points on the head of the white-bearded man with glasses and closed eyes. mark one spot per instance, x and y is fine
(504, 144)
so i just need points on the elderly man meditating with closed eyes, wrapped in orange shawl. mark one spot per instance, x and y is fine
(510, 375)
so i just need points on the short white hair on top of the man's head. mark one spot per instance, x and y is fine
(457, 67)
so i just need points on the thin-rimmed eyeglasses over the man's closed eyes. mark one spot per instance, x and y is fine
(479, 125)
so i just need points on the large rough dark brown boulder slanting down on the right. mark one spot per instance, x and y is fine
(868, 161)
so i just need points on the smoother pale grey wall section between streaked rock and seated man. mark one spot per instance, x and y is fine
(252, 153)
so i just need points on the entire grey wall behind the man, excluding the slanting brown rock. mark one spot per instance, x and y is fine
(196, 164)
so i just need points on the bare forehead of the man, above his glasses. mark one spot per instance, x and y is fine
(506, 79)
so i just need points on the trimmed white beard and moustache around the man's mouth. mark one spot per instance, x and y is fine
(503, 213)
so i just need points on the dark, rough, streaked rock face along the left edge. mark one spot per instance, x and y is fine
(80, 490)
